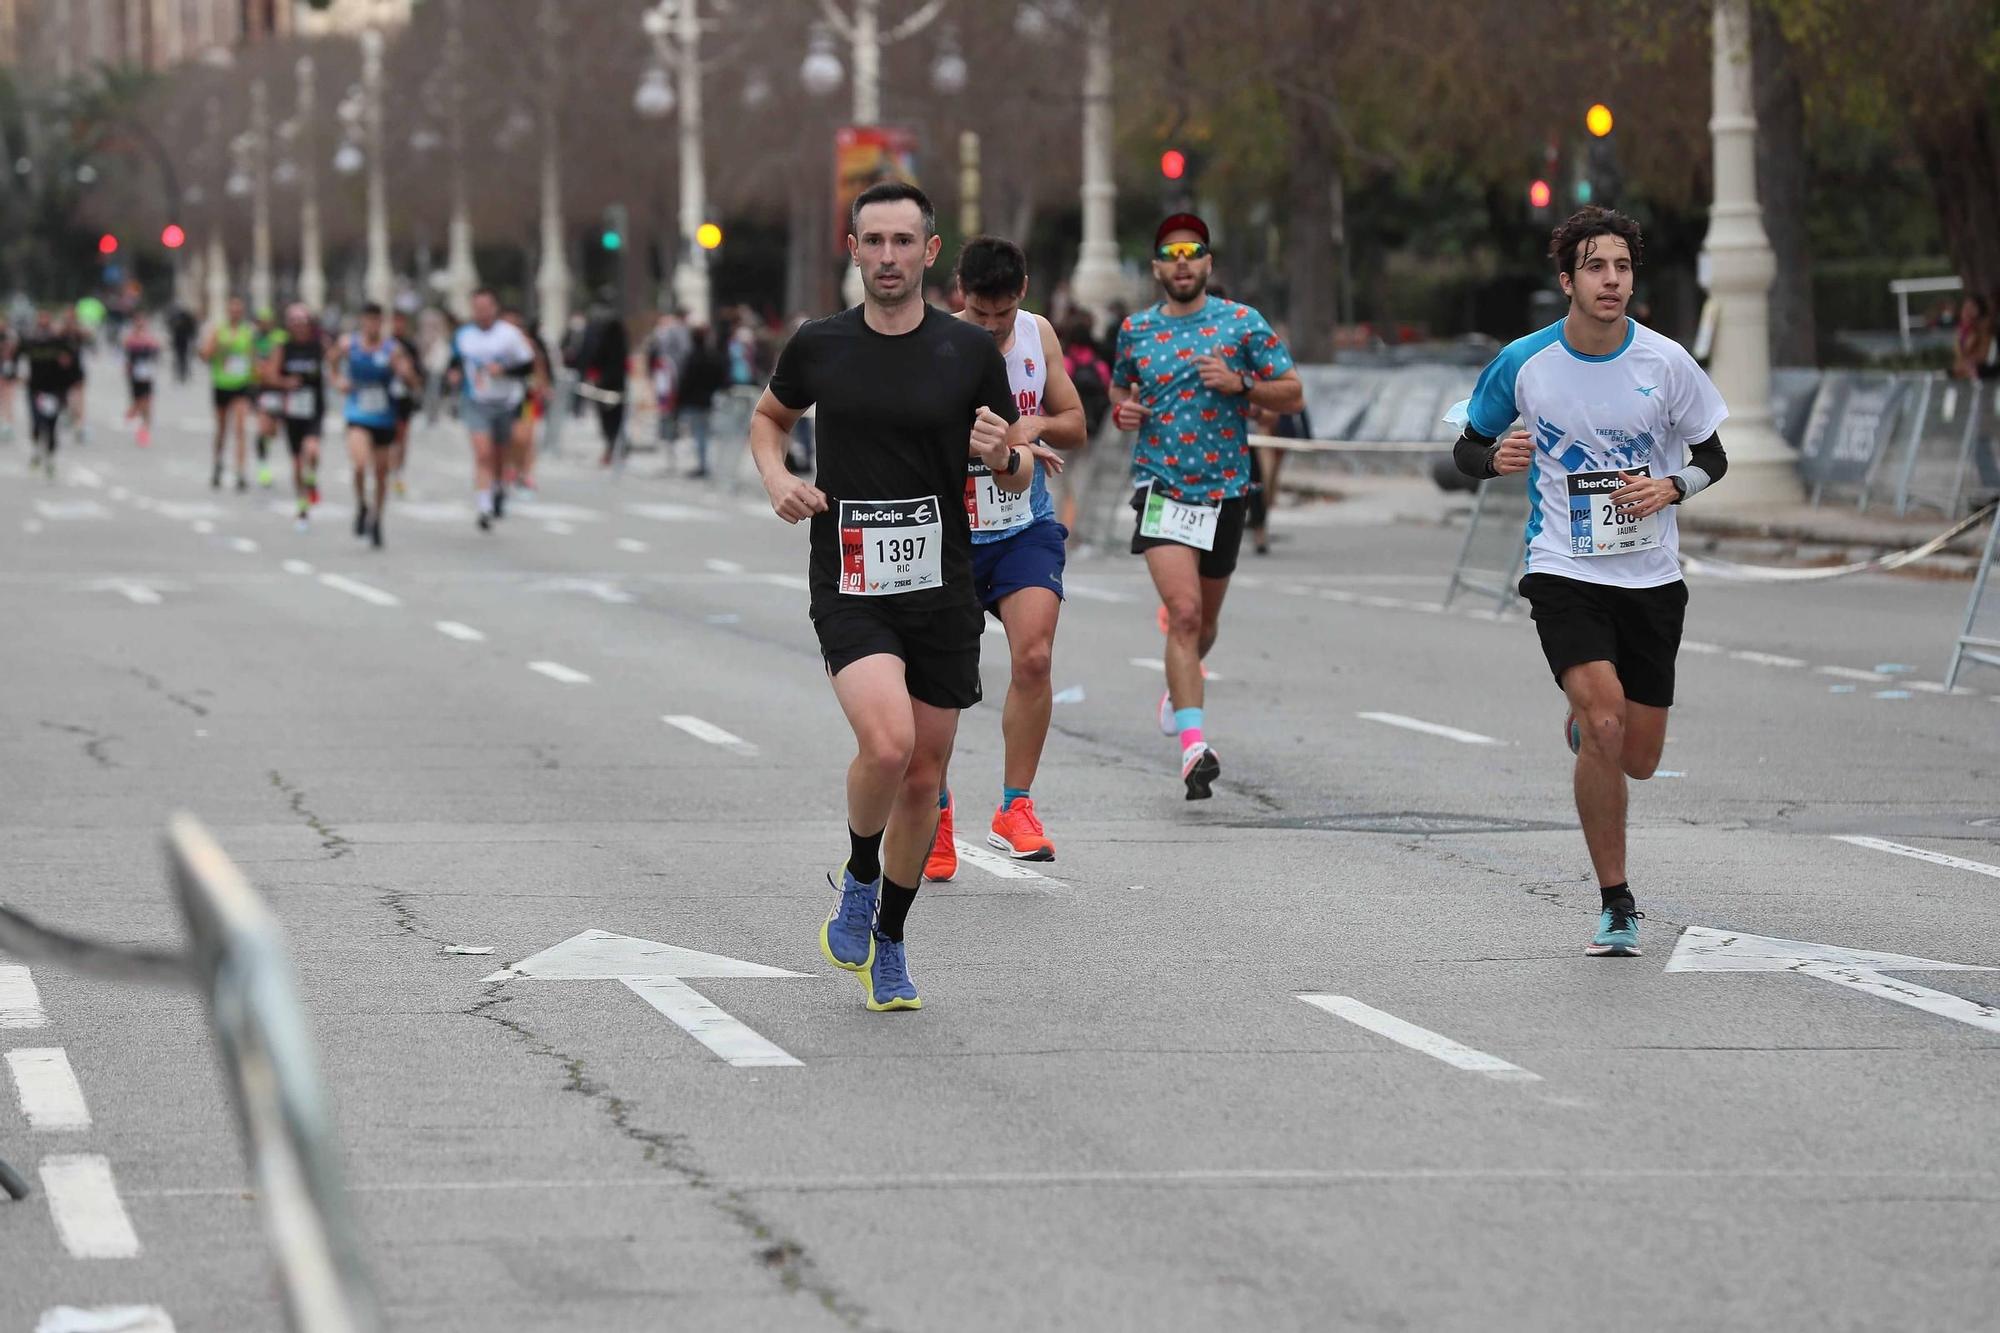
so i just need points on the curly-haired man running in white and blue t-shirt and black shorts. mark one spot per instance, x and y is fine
(1613, 425)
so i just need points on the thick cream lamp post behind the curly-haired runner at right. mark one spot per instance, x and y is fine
(1743, 269)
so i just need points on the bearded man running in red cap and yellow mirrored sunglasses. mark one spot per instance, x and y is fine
(1187, 375)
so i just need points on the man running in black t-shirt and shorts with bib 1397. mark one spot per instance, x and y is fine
(899, 389)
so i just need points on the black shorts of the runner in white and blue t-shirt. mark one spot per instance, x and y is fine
(1633, 629)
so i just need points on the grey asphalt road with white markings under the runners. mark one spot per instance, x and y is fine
(1117, 1110)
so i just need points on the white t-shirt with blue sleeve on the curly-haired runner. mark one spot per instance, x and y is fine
(1633, 411)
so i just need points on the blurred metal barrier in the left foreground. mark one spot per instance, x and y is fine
(237, 958)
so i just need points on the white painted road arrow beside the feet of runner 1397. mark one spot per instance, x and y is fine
(657, 974)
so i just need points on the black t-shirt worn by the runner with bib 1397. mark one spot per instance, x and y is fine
(895, 423)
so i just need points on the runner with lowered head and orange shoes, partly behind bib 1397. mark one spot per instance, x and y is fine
(1017, 543)
